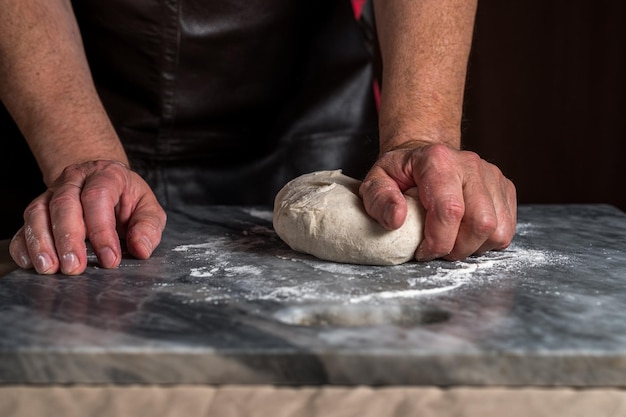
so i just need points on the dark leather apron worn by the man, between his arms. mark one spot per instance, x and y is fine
(222, 102)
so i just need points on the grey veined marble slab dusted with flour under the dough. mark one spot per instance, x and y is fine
(224, 301)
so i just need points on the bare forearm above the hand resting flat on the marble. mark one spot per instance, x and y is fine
(46, 85)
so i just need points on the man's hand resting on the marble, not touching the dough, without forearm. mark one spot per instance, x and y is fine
(100, 201)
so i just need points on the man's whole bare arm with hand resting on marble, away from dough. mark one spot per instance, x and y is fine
(46, 84)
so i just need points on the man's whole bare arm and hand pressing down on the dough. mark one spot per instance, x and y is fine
(470, 206)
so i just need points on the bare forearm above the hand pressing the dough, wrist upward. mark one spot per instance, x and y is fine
(425, 46)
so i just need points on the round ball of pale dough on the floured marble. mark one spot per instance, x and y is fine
(322, 214)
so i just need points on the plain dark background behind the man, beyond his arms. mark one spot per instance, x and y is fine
(545, 101)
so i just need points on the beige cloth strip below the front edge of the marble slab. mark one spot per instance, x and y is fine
(267, 401)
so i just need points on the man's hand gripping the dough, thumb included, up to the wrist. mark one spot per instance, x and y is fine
(470, 206)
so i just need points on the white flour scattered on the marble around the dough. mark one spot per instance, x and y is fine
(225, 273)
